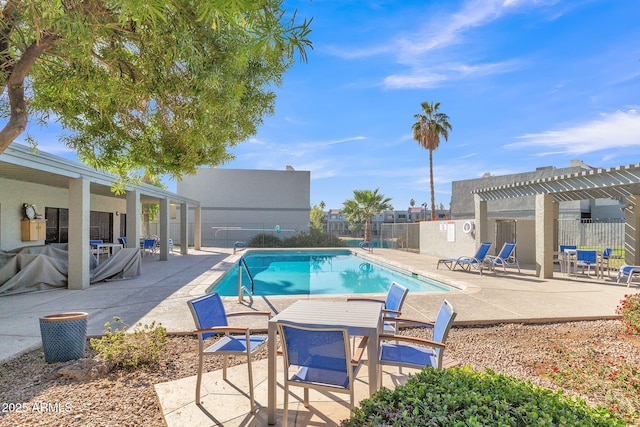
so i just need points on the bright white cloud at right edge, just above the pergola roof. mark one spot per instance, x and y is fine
(617, 130)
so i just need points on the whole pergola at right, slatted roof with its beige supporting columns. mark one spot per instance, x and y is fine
(621, 183)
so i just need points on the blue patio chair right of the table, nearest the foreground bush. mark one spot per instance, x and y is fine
(418, 353)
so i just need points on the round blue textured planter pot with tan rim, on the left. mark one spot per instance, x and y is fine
(63, 336)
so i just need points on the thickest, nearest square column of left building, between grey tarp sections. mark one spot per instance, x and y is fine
(78, 276)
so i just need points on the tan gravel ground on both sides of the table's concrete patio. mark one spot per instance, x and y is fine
(34, 393)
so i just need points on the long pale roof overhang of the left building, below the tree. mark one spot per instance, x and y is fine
(19, 162)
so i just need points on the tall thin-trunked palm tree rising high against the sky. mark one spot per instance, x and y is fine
(428, 129)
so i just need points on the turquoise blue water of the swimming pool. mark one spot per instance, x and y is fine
(318, 273)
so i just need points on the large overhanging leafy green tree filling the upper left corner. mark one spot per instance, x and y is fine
(145, 87)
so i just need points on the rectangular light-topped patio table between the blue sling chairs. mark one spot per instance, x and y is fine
(360, 318)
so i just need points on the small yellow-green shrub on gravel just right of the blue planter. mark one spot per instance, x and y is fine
(142, 347)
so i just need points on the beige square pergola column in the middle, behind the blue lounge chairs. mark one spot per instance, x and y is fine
(544, 236)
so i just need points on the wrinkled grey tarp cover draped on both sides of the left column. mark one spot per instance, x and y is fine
(37, 268)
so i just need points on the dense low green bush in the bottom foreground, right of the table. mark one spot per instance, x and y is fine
(463, 397)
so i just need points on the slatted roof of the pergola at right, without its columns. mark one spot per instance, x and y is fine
(614, 183)
